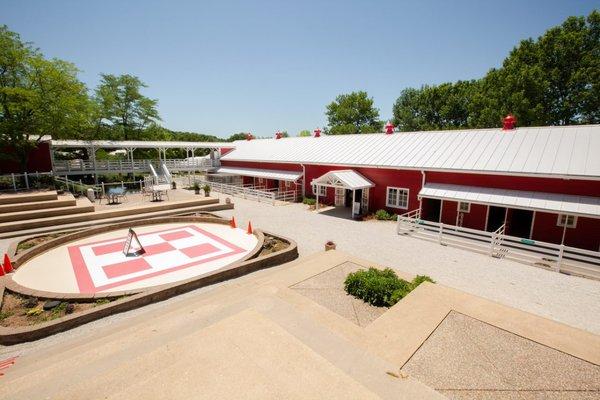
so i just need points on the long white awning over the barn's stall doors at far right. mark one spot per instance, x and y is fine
(539, 201)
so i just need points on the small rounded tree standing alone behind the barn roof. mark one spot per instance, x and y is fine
(353, 113)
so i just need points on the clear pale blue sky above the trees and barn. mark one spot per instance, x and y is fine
(221, 67)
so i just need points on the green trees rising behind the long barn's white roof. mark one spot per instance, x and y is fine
(552, 80)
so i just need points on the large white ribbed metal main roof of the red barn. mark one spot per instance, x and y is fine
(549, 151)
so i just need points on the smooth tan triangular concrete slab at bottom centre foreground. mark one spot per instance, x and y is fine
(242, 357)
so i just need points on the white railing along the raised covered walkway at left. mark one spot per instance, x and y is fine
(125, 166)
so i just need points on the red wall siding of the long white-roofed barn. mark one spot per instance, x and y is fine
(585, 235)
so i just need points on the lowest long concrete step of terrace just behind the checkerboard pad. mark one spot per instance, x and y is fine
(86, 220)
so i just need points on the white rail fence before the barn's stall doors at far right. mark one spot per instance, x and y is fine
(497, 244)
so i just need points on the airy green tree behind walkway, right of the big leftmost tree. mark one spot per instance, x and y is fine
(123, 108)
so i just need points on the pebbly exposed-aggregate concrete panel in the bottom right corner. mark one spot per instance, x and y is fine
(464, 354)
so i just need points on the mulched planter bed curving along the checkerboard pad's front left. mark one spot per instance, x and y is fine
(18, 310)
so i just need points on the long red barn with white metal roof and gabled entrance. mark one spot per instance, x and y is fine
(543, 183)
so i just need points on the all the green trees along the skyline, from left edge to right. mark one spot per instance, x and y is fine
(552, 80)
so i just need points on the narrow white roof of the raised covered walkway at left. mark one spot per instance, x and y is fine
(139, 144)
